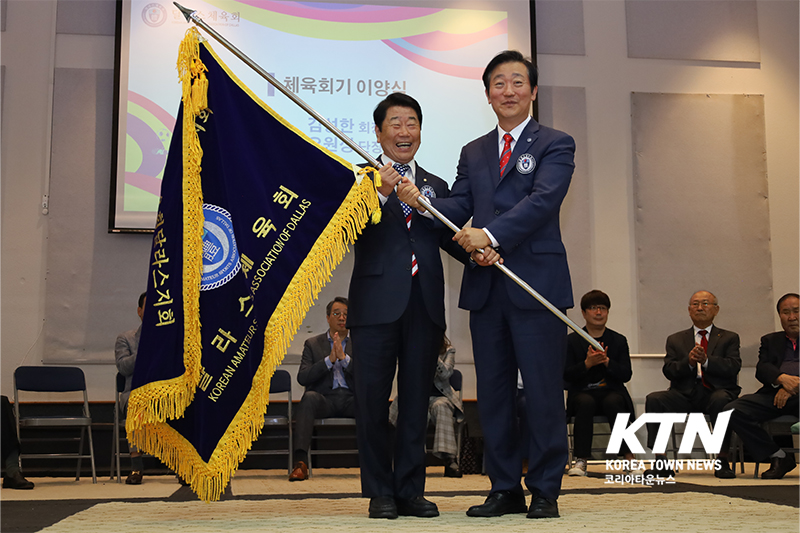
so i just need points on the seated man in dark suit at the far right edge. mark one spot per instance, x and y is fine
(777, 369)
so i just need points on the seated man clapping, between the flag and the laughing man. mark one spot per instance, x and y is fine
(327, 374)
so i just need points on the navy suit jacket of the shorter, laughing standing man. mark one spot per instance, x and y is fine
(380, 286)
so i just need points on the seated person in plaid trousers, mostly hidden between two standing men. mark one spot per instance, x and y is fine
(444, 409)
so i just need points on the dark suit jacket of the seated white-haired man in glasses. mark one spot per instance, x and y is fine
(724, 361)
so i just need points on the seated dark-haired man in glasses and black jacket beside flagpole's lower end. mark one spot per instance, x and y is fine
(596, 380)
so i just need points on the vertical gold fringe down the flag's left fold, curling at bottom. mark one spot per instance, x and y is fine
(159, 401)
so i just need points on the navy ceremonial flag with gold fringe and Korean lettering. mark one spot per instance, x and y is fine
(254, 216)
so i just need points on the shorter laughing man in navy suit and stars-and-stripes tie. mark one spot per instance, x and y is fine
(396, 320)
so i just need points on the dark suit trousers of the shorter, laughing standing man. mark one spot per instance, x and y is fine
(410, 344)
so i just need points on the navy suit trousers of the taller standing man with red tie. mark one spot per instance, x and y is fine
(505, 338)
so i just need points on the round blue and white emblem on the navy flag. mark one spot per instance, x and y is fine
(220, 255)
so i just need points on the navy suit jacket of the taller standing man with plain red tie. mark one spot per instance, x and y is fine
(520, 209)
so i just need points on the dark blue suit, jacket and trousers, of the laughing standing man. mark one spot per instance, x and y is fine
(397, 321)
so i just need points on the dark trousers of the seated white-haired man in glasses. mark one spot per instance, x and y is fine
(699, 400)
